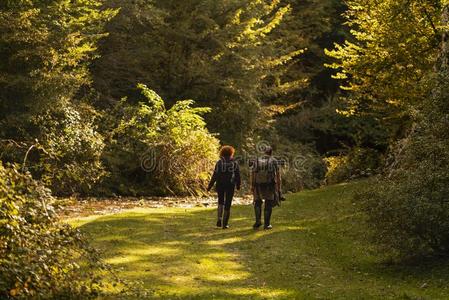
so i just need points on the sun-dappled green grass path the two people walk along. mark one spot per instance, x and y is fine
(317, 250)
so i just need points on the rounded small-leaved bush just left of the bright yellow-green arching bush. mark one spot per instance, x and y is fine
(73, 148)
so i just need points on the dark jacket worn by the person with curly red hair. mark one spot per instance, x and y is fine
(226, 174)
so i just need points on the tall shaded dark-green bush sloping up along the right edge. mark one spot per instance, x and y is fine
(409, 208)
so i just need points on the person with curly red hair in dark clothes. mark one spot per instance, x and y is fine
(227, 177)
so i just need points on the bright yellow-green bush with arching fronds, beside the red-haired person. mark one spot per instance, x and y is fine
(154, 150)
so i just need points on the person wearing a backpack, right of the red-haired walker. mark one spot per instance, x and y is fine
(265, 186)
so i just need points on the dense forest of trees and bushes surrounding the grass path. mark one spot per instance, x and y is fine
(109, 98)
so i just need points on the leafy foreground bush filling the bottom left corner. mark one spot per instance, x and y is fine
(40, 257)
